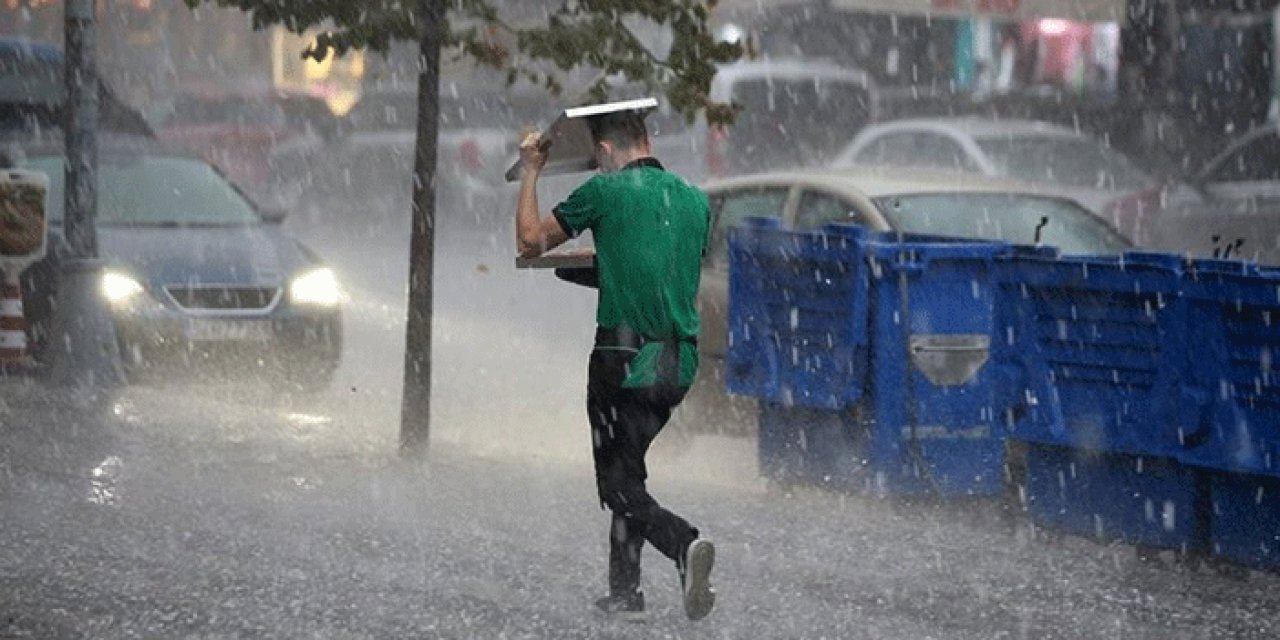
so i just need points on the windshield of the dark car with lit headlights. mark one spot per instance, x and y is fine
(154, 191)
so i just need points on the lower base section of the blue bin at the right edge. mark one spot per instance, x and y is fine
(1246, 523)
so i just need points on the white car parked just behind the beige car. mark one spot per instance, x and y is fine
(1046, 156)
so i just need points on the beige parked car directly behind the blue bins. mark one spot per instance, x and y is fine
(917, 202)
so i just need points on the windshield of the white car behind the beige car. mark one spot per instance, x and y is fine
(1063, 161)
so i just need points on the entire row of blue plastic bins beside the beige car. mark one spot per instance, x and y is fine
(1144, 386)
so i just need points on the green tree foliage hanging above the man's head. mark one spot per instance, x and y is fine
(574, 35)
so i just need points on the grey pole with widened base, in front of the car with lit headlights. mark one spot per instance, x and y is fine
(84, 353)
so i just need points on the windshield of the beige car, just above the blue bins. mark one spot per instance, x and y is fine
(1003, 217)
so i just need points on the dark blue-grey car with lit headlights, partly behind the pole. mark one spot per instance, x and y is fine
(198, 278)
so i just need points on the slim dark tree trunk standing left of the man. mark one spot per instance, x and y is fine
(417, 403)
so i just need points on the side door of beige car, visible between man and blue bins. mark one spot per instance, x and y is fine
(729, 209)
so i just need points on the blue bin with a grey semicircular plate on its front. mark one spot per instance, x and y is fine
(934, 300)
